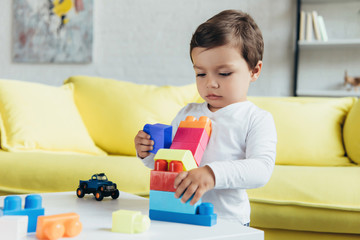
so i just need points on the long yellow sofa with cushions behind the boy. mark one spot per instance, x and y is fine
(313, 193)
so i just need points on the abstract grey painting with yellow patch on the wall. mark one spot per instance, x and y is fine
(52, 31)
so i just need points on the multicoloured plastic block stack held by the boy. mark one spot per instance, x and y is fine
(185, 153)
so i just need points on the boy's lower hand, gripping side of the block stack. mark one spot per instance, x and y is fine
(196, 181)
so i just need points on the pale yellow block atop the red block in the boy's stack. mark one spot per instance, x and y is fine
(184, 156)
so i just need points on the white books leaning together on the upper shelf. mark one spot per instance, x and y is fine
(312, 27)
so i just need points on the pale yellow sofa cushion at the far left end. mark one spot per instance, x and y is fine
(37, 117)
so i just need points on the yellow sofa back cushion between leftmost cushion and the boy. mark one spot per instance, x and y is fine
(114, 111)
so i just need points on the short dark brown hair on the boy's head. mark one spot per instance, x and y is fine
(234, 27)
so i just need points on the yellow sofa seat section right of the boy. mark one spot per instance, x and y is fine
(318, 199)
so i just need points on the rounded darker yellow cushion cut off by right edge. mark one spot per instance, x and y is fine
(352, 133)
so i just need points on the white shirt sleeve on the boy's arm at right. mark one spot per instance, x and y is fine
(255, 170)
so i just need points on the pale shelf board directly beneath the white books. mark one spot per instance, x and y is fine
(330, 43)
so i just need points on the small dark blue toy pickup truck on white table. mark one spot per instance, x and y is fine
(99, 186)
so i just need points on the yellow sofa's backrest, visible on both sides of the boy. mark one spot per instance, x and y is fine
(311, 131)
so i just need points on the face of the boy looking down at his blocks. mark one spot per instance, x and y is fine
(222, 75)
